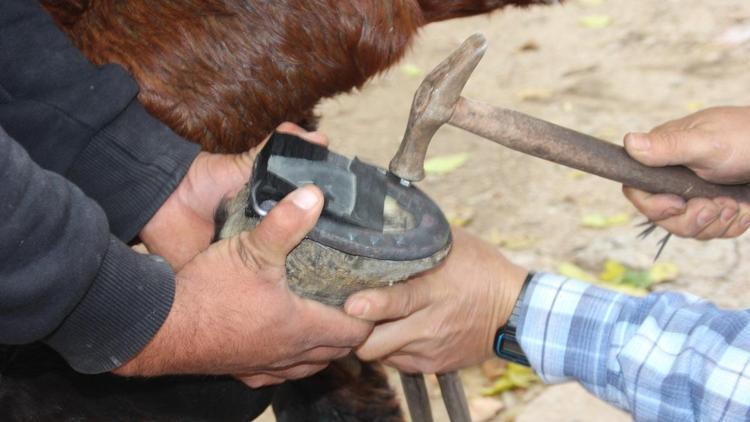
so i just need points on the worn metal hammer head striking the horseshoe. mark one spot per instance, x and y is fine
(433, 105)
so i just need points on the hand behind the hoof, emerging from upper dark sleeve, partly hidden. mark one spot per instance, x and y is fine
(184, 225)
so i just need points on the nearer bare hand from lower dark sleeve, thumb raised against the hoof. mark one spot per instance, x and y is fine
(234, 314)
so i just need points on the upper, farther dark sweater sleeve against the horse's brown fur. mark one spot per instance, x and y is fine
(84, 122)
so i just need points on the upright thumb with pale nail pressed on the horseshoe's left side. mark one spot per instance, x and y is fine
(285, 226)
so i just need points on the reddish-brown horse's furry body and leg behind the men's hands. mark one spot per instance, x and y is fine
(224, 73)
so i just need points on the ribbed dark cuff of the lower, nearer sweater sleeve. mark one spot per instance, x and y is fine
(120, 313)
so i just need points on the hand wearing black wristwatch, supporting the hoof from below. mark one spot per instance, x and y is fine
(445, 319)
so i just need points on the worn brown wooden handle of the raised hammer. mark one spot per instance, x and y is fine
(564, 146)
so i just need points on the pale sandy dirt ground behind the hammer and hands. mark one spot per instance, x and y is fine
(603, 67)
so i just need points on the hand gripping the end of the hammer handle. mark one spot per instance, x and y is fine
(715, 144)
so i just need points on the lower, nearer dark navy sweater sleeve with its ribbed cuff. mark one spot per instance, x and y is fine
(64, 279)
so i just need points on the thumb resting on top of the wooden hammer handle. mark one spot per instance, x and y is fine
(669, 147)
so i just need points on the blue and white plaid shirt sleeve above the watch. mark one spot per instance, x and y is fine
(666, 356)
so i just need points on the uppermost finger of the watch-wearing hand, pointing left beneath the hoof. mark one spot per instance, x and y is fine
(389, 303)
